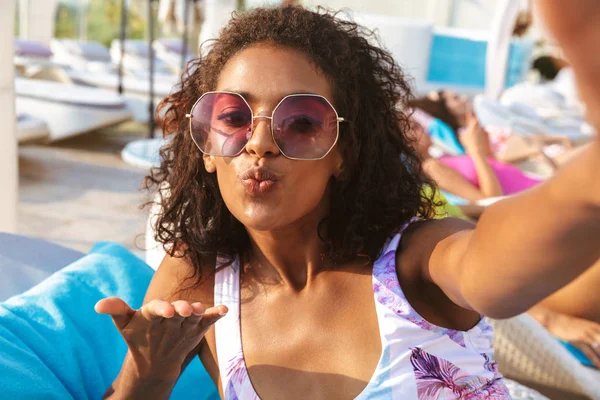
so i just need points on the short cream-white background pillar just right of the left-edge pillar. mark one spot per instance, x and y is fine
(37, 19)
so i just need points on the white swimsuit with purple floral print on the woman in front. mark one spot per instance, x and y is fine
(419, 360)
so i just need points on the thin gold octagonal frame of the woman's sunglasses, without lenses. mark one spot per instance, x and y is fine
(338, 120)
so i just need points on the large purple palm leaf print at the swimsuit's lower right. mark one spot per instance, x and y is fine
(440, 379)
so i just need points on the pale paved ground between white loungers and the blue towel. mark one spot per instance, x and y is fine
(78, 191)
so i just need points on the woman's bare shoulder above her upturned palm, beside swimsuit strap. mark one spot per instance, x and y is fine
(176, 279)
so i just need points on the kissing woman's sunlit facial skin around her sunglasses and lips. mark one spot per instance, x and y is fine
(298, 198)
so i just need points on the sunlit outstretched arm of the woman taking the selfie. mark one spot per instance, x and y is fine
(526, 247)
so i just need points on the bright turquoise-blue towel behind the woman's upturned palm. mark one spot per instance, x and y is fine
(53, 345)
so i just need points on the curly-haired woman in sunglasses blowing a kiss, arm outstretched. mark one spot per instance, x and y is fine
(298, 266)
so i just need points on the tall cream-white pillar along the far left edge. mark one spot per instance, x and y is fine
(8, 139)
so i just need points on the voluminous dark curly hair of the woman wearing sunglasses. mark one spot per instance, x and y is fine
(381, 186)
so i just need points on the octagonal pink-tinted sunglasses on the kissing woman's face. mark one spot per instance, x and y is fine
(303, 126)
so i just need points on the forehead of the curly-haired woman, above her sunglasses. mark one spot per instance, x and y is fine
(267, 73)
